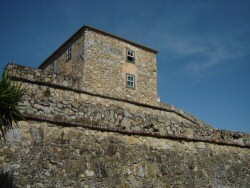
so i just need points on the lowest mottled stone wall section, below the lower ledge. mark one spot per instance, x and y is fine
(47, 155)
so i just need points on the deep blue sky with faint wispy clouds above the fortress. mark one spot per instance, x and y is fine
(204, 46)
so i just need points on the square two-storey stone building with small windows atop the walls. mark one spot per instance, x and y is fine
(108, 65)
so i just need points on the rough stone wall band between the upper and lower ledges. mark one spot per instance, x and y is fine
(69, 106)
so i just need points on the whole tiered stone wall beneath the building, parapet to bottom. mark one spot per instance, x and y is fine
(76, 138)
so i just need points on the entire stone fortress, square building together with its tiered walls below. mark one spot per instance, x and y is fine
(94, 120)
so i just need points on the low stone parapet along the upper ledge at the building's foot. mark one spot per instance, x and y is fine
(44, 78)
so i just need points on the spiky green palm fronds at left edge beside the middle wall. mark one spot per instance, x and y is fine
(10, 95)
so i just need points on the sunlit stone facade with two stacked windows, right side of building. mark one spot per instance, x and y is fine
(106, 68)
